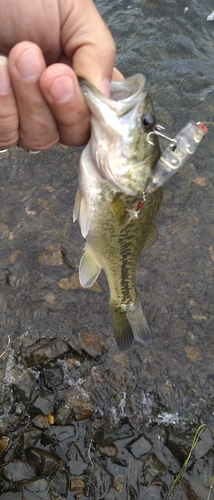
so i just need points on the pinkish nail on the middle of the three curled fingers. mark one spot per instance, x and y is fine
(29, 65)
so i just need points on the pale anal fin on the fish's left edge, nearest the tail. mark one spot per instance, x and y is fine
(89, 269)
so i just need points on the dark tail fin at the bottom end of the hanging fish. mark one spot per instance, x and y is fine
(129, 323)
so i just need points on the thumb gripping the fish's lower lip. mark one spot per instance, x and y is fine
(87, 42)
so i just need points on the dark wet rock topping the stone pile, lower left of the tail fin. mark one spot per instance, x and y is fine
(40, 354)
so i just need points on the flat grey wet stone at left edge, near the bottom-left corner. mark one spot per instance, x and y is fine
(19, 471)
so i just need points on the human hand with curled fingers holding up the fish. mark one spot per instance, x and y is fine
(40, 100)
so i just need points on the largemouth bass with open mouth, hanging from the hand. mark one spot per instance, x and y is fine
(115, 168)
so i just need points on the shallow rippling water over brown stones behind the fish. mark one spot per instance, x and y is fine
(173, 378)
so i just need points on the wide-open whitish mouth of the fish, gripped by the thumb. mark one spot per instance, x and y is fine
(124, 94)
